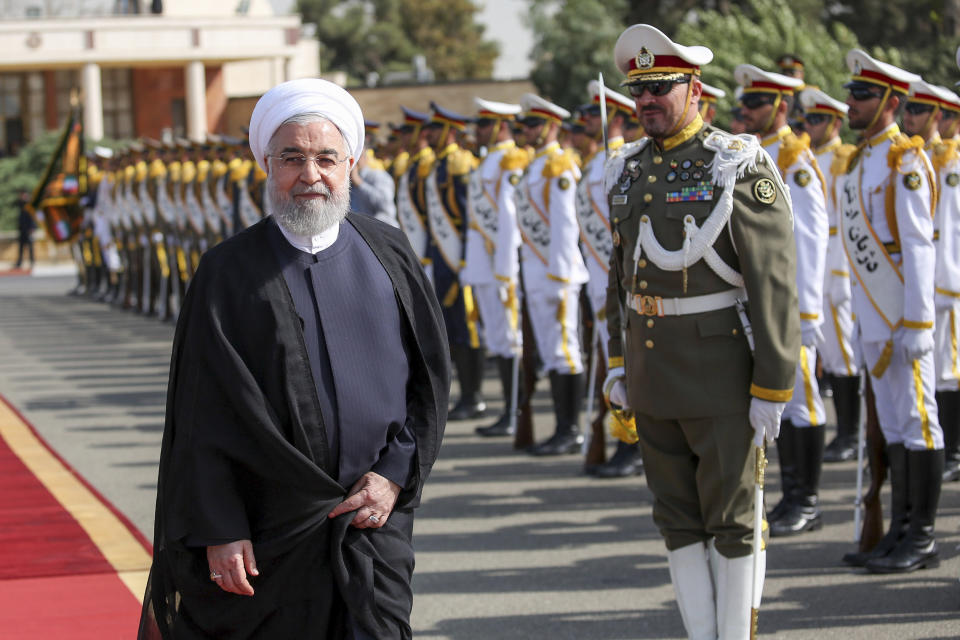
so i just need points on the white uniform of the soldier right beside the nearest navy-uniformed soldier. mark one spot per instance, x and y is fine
(490, 294)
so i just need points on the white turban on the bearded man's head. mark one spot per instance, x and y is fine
(309, 95)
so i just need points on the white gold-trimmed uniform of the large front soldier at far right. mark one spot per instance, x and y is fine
(905, 391)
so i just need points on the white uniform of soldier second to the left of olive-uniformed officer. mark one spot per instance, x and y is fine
(551, 262)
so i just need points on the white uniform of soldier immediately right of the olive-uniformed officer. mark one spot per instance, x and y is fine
(811, 231)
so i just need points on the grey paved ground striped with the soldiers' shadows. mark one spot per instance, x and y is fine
(507, 546)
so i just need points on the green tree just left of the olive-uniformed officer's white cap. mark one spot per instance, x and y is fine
(572, 43)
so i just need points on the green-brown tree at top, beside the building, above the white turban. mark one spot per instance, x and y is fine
(364, 36)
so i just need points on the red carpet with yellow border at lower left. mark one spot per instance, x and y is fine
(71, 566)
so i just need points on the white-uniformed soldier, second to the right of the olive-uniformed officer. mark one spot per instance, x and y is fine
(839, 352)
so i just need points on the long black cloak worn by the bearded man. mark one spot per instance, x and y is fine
(235, 463)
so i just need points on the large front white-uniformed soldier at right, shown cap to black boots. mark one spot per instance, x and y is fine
(886, 200)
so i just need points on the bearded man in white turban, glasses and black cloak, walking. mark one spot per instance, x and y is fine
(306, 403)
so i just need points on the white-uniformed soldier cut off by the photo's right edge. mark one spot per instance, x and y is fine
(925, 110)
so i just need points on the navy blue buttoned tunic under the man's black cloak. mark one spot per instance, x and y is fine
(354, 337)
